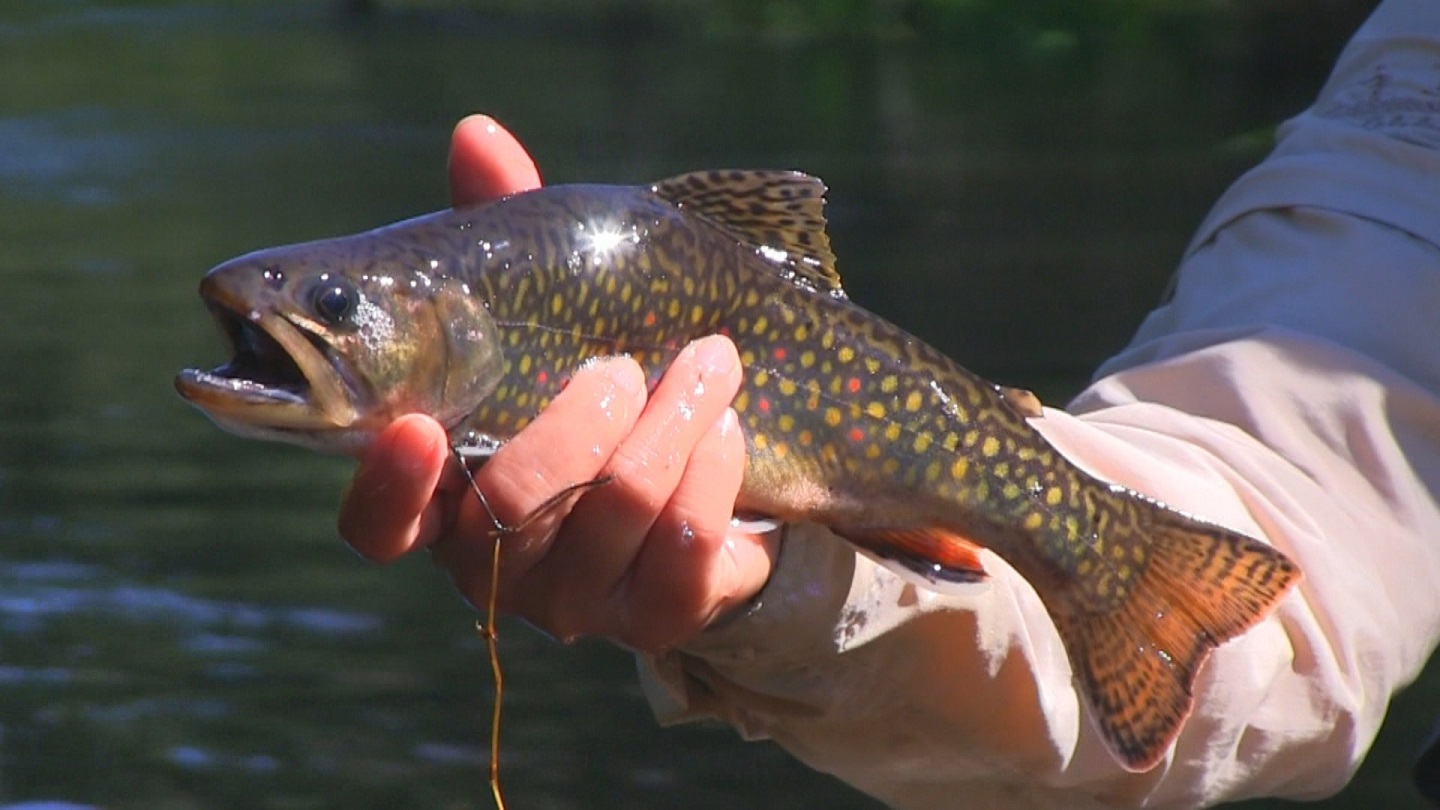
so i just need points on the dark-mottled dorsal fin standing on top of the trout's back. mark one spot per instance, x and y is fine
(780, 213)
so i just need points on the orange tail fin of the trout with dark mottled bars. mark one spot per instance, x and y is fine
(1137, 659)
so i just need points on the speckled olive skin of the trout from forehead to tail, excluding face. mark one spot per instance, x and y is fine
(849, 420)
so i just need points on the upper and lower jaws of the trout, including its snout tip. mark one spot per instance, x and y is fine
(283, 383)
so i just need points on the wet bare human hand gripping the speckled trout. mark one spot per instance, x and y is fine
(647, 560)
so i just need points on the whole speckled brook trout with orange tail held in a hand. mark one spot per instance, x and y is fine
(479, 316)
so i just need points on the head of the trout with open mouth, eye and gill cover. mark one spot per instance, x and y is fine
(332, 341)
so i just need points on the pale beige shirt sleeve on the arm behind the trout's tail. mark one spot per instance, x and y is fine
(1291, 390)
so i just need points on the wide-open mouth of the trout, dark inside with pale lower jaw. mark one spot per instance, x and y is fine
(283, 375)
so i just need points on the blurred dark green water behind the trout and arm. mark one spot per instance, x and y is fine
(179, 623)
